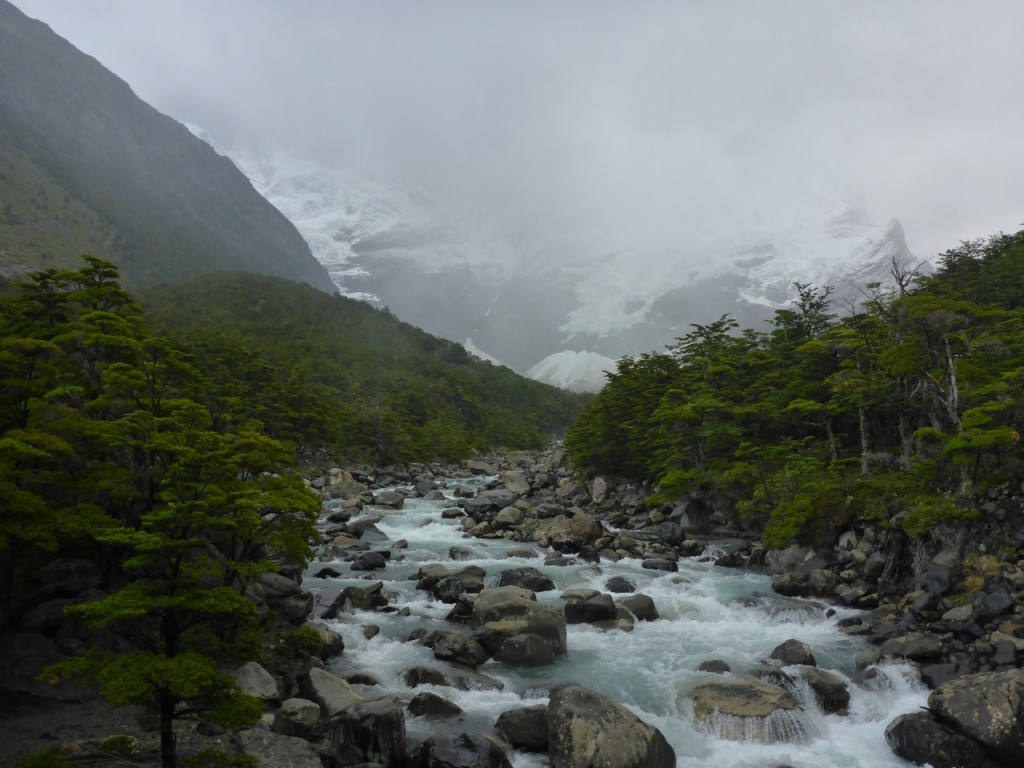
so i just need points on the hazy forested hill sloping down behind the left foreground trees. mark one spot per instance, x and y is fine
(330, 371)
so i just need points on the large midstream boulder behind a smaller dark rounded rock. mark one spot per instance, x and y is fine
(506, 612)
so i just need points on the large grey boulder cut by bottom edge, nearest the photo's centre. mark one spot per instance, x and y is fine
(588, 731)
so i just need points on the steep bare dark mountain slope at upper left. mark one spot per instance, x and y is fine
(87, 166)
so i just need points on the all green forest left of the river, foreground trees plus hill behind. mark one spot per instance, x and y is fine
(169, 460)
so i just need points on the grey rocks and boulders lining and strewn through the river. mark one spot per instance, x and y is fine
(951, 604)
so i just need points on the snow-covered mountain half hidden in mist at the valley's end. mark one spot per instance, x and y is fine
(557, 294)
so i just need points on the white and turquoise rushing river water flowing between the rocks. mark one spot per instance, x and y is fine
(707, 613)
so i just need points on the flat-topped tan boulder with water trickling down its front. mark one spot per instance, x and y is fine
(745, 709)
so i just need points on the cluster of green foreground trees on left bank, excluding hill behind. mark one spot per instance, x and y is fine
(108, 448)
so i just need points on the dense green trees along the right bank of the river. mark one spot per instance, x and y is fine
(909, 405)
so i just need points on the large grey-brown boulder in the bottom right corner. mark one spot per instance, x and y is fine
(988, 707)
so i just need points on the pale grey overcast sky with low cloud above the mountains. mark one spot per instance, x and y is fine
(663, 112)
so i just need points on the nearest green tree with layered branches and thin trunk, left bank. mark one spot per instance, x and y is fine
(219, 521)
